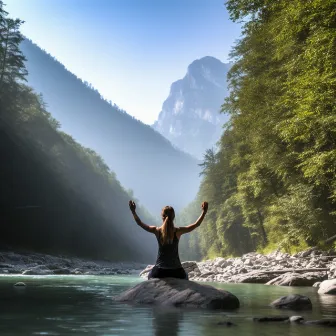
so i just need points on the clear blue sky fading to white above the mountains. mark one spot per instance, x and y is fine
(131, 51)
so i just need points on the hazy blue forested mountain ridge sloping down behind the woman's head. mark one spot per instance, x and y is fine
(143, 160)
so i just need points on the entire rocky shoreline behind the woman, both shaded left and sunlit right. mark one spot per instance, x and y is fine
(306, 268)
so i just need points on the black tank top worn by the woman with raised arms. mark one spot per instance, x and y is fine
(168, 256)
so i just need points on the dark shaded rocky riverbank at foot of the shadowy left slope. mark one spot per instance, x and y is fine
(42, 264)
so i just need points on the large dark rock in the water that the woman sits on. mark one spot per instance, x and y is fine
(179, 293)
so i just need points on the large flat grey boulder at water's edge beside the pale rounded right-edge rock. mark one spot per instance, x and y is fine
(296, 279)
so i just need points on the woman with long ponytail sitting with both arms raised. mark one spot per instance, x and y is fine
(168, 264)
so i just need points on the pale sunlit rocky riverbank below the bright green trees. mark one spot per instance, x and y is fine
(302, 269)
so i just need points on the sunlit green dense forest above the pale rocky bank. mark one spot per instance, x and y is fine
(272, 184)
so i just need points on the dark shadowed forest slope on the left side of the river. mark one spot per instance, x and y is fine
(56, 195)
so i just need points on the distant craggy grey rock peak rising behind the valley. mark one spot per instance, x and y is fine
(190, 116)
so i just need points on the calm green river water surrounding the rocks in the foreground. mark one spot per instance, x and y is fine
(82, 305)
